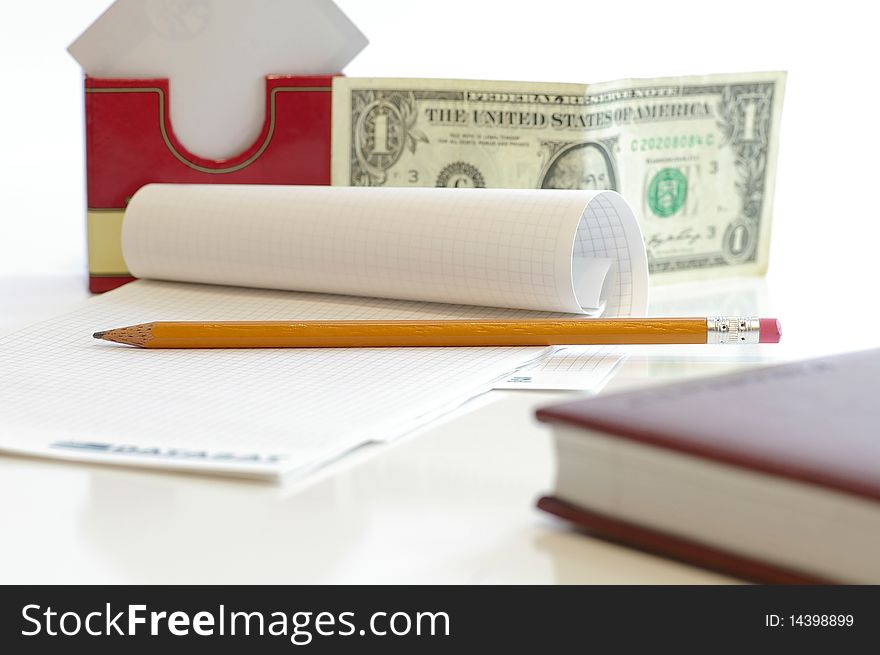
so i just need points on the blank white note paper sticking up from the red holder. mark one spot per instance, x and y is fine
(216, 54)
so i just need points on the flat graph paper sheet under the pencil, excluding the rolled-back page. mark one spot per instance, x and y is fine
(257, 412)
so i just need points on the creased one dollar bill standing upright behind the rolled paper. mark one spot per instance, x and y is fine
(694, 156)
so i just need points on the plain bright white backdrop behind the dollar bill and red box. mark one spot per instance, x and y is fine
(825, 233)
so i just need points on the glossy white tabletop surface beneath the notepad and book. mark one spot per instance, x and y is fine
(454, 503)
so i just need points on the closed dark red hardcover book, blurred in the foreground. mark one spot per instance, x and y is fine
(770, 474)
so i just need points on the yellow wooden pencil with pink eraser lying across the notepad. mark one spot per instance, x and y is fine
(407, 334)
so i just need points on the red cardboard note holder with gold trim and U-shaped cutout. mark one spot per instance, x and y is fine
(130, 142)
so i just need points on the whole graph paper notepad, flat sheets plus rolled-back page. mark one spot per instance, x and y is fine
(311, 253)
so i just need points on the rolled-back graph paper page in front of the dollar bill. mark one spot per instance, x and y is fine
(545, 250)
